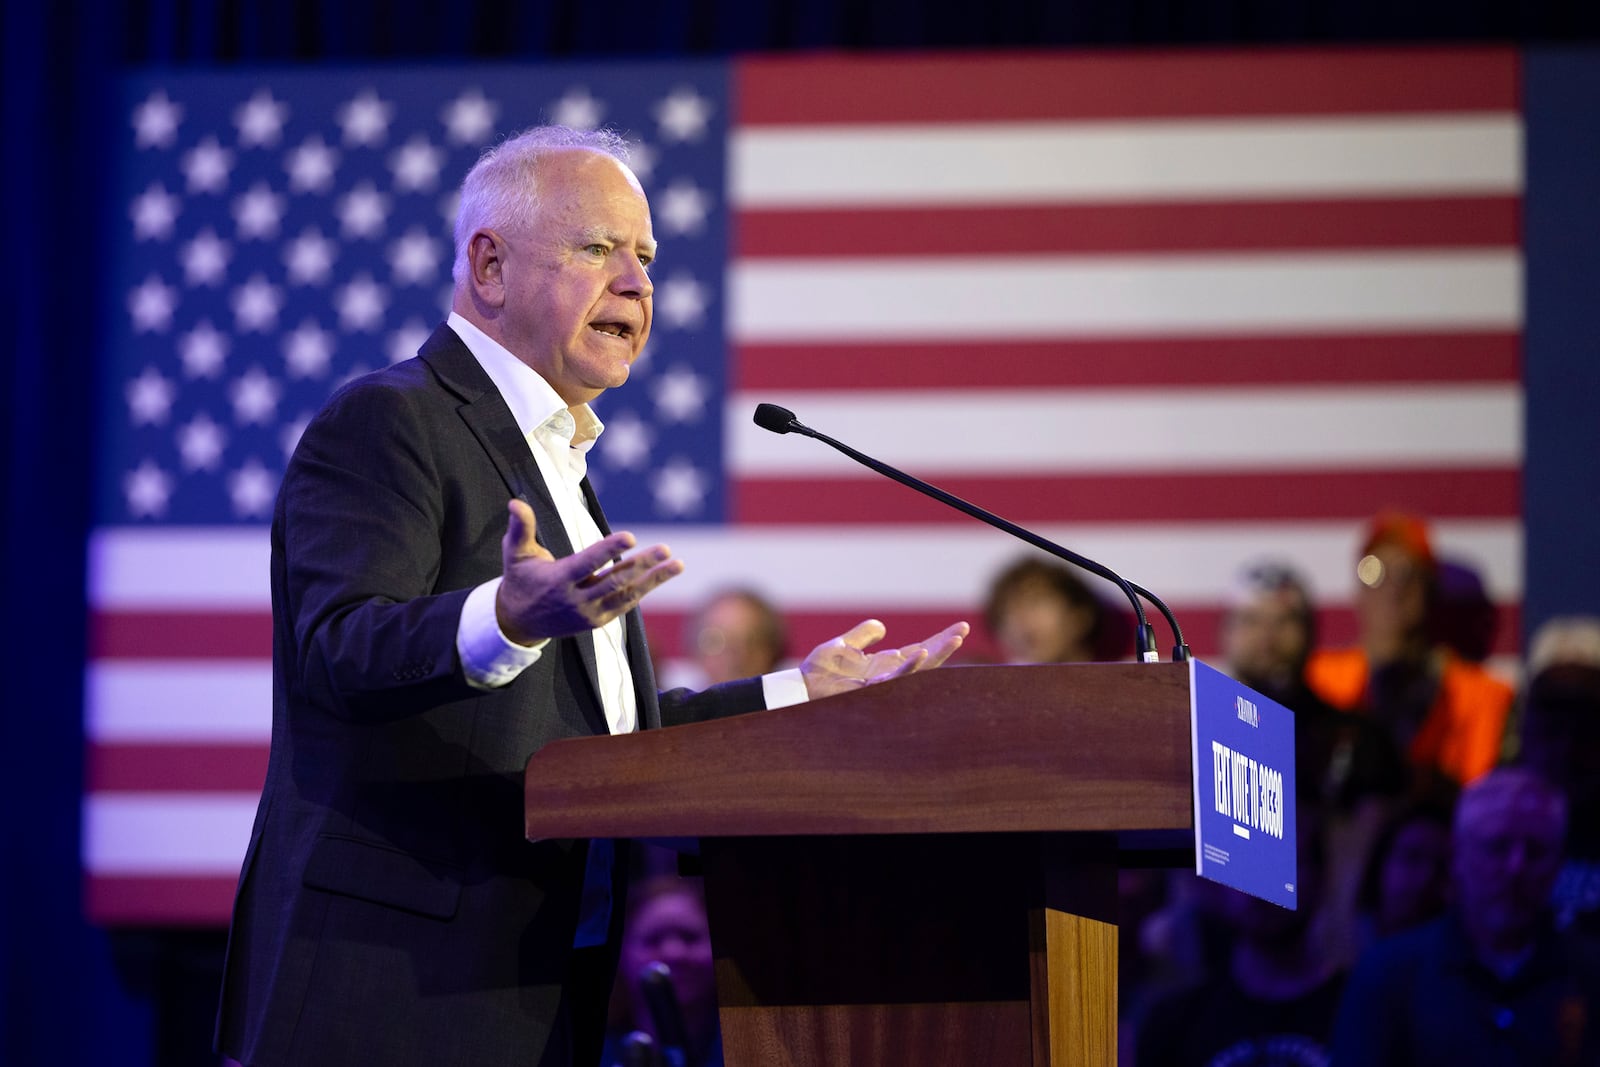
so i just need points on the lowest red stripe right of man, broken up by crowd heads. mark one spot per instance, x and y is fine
(1202, 628)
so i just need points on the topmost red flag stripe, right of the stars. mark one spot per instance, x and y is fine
(815, 90)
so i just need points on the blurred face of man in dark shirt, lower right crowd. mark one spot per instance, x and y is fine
(1508, 852)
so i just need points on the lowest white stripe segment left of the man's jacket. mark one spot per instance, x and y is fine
(167, 834)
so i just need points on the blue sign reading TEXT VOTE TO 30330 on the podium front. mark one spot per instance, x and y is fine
(1244, 757)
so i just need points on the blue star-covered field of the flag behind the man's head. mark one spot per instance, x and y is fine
(281, 233)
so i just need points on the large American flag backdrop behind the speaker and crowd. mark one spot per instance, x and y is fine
(1175, 311)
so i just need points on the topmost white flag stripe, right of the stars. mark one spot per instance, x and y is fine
(1057, 162)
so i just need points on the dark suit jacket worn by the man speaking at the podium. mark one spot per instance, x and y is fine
(390, 909)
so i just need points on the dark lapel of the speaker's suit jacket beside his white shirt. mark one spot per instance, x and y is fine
(486, 414)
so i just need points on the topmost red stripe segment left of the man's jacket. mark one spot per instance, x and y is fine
(180, 636)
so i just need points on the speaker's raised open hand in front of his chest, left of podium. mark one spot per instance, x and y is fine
(543, 597)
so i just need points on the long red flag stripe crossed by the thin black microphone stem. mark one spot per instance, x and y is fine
(1138, 498)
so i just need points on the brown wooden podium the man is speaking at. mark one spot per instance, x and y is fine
(921, 873)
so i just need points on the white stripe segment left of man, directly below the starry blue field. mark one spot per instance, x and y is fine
(223, 567)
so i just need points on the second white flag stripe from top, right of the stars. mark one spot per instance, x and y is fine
(999, 298)
